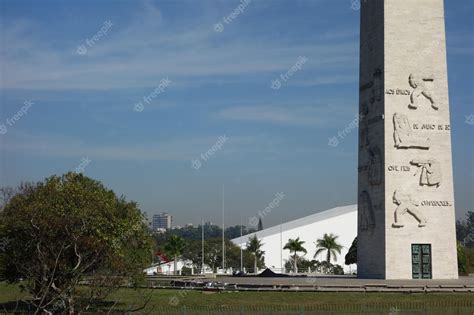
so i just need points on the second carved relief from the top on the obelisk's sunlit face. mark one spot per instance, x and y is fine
(405, 137)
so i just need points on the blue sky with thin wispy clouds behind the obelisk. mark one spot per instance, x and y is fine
(84, 102)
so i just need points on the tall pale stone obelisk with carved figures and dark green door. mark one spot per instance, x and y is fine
(406, 200)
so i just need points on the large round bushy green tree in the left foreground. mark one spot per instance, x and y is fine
(70, 229)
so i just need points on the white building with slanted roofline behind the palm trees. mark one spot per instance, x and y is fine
(341, 221)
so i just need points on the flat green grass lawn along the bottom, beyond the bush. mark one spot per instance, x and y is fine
(195, 299)
